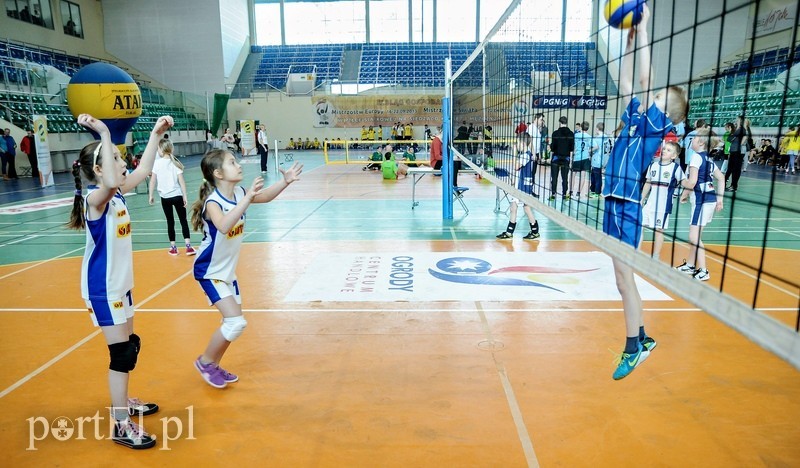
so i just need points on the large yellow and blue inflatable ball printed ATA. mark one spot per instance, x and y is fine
(107, 93)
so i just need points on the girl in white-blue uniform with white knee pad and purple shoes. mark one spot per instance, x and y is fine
(220, 213)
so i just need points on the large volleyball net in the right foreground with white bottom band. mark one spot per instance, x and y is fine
(752, 246)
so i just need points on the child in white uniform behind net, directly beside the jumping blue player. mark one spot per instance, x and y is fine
(663, 177)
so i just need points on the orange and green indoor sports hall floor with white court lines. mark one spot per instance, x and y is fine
(441, 376)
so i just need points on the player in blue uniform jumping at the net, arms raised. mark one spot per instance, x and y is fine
(645, 125)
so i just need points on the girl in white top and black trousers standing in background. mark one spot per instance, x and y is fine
(167, 175)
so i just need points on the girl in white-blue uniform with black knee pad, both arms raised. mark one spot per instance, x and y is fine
(107, 269)
